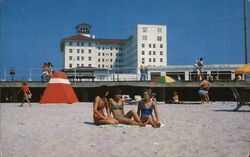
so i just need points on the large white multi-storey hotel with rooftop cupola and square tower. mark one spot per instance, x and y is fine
(147, 46)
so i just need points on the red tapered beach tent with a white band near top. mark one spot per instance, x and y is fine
(59, 90)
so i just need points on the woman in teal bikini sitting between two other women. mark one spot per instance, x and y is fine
(116, 105)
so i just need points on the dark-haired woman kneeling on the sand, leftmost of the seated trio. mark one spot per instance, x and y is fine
(99, 104)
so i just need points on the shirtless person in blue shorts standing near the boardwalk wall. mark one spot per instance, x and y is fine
(203, 91)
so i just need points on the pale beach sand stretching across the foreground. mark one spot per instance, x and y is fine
(209, 130)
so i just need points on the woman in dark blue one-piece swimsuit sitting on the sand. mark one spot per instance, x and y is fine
(146, 107)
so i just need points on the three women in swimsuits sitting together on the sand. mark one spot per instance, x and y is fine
(113, 103)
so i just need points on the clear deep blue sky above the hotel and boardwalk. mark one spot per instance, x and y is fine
(31, 30)
